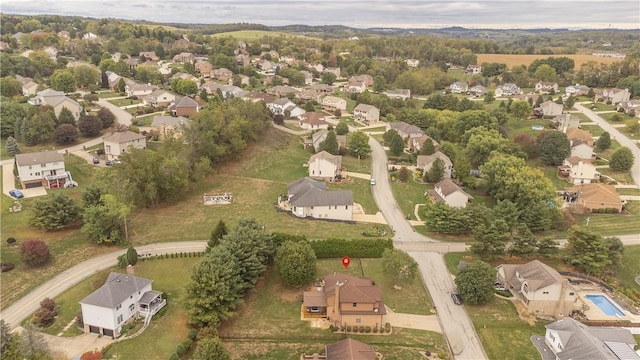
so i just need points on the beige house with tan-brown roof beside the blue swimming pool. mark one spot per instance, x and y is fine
(540, 288)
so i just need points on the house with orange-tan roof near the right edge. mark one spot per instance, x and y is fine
(597, 196)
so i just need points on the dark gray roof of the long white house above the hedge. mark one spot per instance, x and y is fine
(308, 192)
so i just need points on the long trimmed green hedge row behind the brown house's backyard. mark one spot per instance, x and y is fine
(357, 248)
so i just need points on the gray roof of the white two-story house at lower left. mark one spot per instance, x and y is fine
(115, 290)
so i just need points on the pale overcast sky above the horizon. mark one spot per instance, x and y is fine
(572, 14)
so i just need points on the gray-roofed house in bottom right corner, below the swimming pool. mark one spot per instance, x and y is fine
(569, 339)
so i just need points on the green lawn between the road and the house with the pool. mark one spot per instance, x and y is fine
(502, 333)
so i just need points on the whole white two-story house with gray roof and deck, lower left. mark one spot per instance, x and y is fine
(122, 298)
